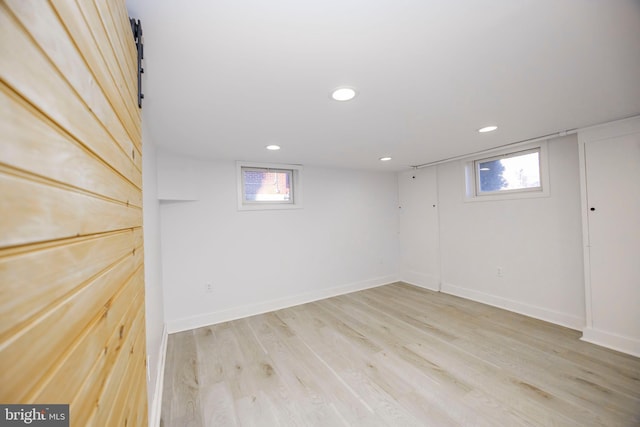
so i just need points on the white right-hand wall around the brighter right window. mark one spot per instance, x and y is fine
(536, 241)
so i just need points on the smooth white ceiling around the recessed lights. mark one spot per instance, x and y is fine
(224, 78)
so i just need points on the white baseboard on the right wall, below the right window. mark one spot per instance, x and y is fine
(563, 319)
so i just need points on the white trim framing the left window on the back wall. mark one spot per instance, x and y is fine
(296, 186)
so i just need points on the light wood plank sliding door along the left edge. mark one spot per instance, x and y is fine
(71, 251)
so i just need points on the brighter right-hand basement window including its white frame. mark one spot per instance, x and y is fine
(513, 174)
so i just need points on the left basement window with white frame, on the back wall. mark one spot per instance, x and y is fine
(268, 186)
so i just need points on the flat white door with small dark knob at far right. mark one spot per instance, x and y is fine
(613, 203)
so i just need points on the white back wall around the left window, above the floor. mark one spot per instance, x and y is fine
(345, 238)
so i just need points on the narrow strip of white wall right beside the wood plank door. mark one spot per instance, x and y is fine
(154, 304)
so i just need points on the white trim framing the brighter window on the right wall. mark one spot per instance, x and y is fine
(471, 190)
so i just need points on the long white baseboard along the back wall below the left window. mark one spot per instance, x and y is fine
(212, 318)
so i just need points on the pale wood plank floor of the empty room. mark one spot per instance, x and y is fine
(396, 355)
